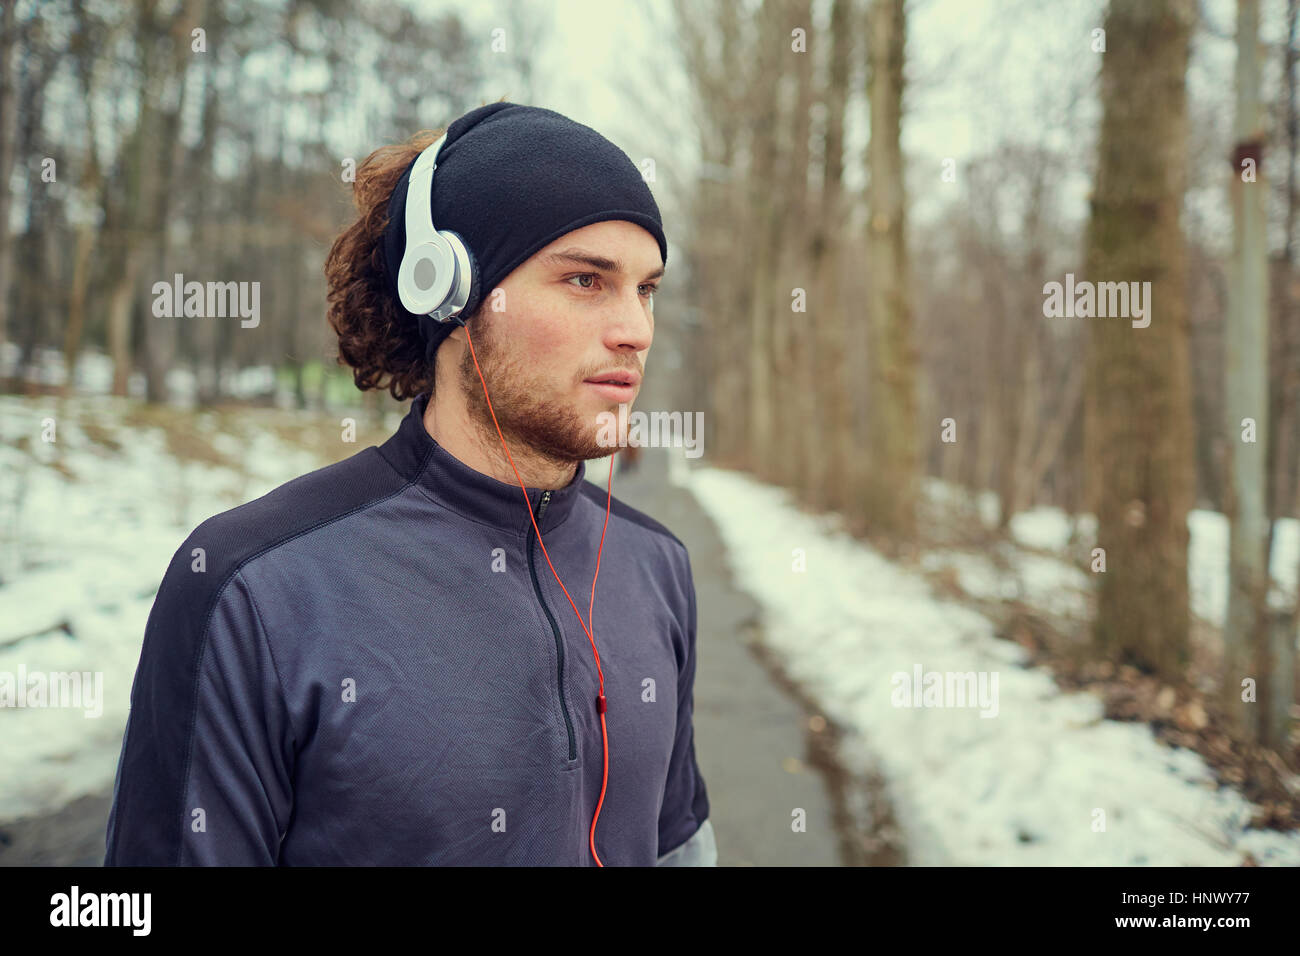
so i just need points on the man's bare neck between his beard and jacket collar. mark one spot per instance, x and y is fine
(449, 423)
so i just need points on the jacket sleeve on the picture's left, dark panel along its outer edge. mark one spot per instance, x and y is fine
(206, 771)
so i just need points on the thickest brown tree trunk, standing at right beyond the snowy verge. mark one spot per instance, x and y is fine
(1138, 431)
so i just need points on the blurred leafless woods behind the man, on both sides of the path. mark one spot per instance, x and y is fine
(838, 348)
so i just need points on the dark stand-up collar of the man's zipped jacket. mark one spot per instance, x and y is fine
(469, 492)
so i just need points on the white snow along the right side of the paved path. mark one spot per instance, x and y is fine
(1028, 785)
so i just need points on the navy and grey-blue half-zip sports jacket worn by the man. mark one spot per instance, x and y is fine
(374, 665)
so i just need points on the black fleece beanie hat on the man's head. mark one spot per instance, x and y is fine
(510, 181)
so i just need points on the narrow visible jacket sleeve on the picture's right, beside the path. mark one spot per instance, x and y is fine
(686, 834)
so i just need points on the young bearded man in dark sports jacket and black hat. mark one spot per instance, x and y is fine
(378, 661)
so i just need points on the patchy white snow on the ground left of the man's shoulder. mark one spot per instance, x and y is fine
(88, 555)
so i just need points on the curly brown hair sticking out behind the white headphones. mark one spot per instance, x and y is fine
(383, 349)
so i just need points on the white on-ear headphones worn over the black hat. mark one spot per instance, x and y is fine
(437, 270)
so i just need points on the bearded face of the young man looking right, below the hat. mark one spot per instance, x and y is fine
(565, 325)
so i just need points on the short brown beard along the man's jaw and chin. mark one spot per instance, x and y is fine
(528, 422)
